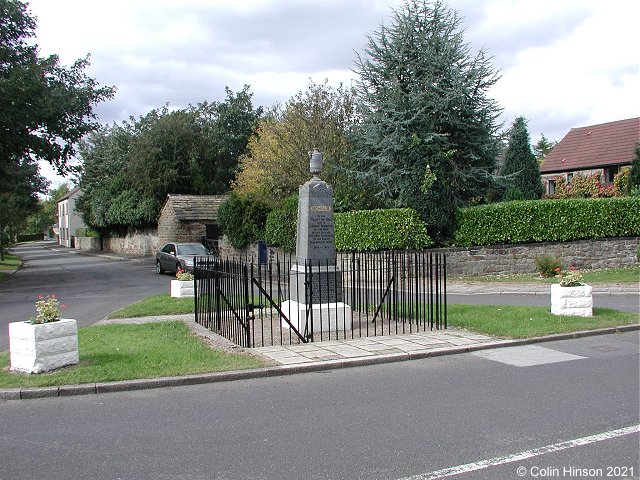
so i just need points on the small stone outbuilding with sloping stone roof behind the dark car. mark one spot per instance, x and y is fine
(190, 218)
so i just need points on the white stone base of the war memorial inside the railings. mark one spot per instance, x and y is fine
(326, 317)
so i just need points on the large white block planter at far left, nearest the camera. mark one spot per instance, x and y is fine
(43, 347)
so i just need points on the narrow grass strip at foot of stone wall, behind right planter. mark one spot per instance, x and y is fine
(609, 275)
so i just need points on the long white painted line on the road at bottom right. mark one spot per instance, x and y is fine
(517, 457)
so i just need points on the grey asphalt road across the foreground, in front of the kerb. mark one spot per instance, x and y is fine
(563, 408)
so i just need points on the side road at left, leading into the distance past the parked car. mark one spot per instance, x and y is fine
(91, 286)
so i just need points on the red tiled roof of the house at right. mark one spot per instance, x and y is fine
(595, 146)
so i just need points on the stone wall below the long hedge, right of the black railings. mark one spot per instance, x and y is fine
(514, 259)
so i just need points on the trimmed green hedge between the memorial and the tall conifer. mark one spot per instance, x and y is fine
(389, 229)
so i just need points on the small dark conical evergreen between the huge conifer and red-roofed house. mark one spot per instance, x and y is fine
(521, 169)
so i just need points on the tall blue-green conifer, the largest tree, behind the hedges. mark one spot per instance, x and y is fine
(427, 132)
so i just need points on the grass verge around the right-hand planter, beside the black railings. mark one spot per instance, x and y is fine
(527, 322)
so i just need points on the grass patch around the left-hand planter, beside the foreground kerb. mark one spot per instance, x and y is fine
(125, 352)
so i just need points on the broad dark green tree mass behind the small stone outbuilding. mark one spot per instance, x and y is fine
(129, 169)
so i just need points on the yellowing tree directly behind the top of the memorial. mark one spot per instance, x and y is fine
(277, 160)
